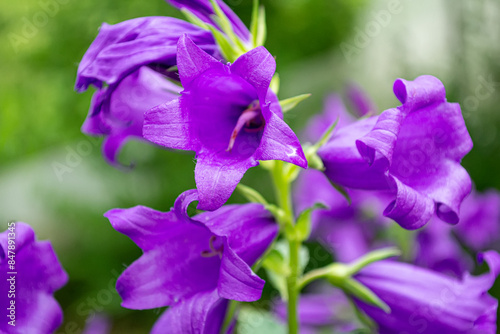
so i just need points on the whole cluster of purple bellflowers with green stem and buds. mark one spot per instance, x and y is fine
(210, 86)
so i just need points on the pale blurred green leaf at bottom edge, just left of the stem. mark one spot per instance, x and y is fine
(252, 320)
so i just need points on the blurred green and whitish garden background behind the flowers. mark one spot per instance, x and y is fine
(40, 118)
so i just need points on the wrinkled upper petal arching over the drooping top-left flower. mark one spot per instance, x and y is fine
(122, 48)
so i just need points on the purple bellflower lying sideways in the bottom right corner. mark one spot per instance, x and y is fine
(426, 302)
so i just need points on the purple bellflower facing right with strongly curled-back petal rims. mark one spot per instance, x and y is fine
(413, 150)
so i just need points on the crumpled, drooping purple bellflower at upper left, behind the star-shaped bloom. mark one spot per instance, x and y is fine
(127, 63)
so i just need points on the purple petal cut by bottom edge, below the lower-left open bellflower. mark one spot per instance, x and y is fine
(203, 313)
